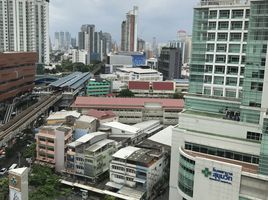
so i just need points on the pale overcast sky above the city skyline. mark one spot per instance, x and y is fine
(157, 18)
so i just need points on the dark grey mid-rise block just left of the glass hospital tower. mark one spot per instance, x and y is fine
(170, 63)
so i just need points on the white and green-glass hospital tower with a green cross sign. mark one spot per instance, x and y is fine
(219, 148)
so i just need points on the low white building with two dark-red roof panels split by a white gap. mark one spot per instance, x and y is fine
(160, 89)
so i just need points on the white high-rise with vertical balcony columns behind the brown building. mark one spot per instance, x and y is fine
(25, 27)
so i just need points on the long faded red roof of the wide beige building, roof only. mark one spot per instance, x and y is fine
(105, 102)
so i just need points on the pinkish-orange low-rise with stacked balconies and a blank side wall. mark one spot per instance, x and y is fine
(51, 146)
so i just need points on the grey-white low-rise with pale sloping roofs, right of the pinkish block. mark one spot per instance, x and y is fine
(89, 156)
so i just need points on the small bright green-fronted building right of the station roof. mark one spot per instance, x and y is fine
(98, 88)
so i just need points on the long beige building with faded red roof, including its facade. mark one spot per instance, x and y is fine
(134, 110)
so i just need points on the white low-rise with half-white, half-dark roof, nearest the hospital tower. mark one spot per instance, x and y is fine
(137, 168)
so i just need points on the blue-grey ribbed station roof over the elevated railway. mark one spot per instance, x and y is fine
(74, 80)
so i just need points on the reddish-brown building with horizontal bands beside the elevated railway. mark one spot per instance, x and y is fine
(17, 74)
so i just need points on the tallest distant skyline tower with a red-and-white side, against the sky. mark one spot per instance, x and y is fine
(129, 31)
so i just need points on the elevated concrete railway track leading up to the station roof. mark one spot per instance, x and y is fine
(26, 118)
